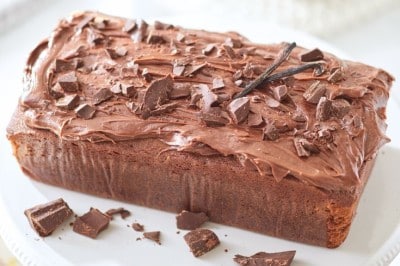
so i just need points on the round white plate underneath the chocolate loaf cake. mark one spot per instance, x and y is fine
(374, 238)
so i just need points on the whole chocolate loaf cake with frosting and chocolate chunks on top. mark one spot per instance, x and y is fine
(276, 139)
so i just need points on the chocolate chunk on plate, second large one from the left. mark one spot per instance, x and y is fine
(92, 223)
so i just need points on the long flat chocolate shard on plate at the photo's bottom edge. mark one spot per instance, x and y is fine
(266, 259)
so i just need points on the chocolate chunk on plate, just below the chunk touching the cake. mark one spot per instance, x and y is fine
(201, 241)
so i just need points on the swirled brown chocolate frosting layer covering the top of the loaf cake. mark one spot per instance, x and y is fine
(104, 51)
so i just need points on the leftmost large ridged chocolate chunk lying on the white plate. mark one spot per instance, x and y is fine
(45, 218)
